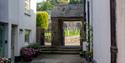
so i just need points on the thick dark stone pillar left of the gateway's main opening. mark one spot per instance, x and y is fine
(57, 32)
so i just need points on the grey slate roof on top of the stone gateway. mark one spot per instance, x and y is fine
(70, 10)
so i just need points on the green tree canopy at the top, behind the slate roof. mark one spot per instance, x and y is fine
(49, 4)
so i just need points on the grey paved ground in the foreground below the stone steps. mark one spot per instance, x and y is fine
(57, 58)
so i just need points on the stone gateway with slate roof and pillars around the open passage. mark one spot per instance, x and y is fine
(72, 12)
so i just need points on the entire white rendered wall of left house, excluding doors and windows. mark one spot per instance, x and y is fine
(12, 13)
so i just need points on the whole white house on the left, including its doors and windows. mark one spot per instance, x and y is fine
(17, 26)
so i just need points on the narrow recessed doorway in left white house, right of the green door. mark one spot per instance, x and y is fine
(13, 41)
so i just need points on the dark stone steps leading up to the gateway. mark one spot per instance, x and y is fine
(60, 50)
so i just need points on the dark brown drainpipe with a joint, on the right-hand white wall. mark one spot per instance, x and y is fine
(113, 48)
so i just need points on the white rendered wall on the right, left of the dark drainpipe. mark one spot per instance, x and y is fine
(101, 30)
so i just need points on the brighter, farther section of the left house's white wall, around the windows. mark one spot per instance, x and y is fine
(26, 22)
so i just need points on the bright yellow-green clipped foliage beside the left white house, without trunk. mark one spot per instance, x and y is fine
(42, 20)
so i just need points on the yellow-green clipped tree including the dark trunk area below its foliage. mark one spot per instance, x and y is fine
(42, 25)
